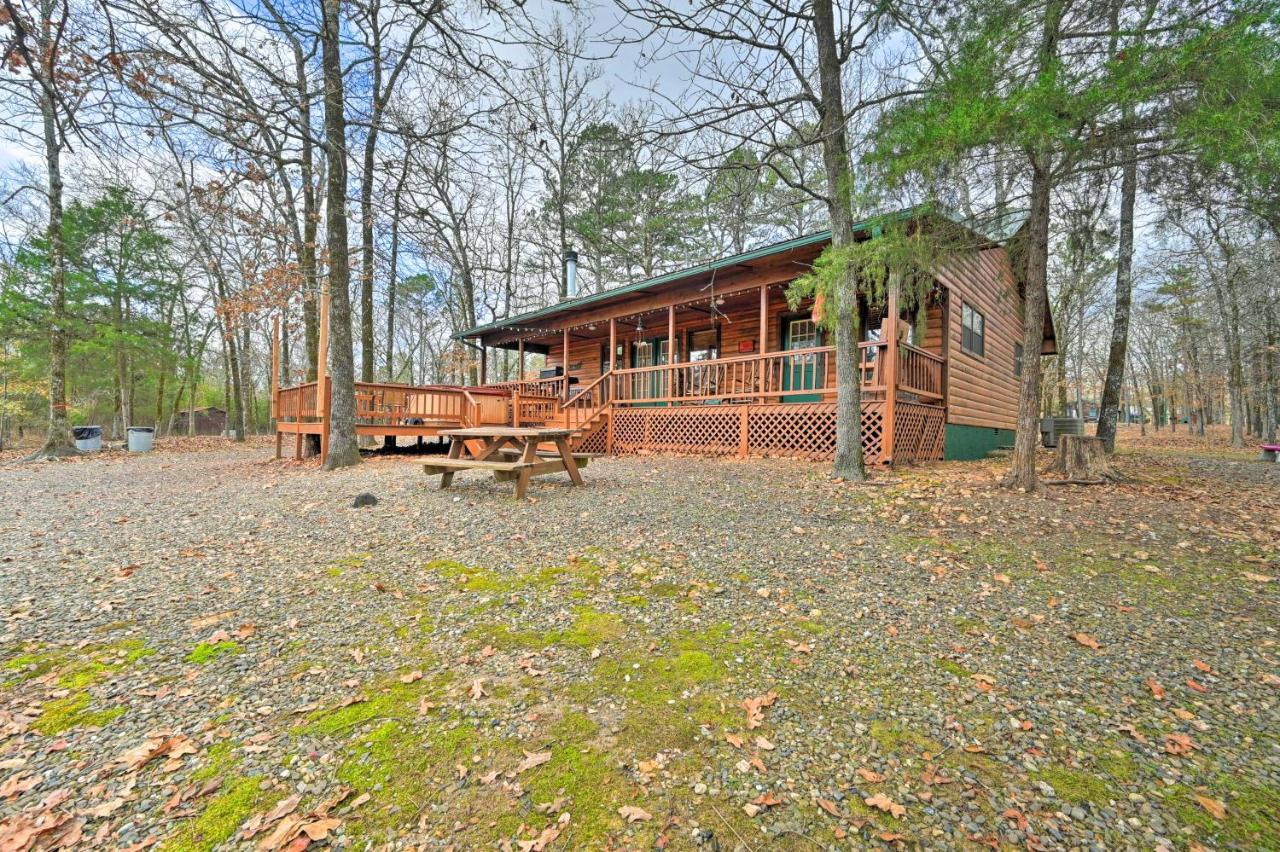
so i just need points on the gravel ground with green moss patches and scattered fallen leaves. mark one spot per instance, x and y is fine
(684, 654)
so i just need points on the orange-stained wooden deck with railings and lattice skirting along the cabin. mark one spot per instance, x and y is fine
(772, 404)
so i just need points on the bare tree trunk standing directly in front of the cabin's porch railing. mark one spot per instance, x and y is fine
(840, 207)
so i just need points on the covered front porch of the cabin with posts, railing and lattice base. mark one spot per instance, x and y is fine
(733, 372)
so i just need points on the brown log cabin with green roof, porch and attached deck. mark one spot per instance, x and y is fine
(714, 361)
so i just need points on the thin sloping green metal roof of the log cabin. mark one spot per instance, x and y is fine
(1003, 232)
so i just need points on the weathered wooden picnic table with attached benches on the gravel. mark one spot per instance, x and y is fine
(510, 452)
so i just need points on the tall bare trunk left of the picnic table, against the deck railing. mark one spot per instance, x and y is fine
(344, 450)
